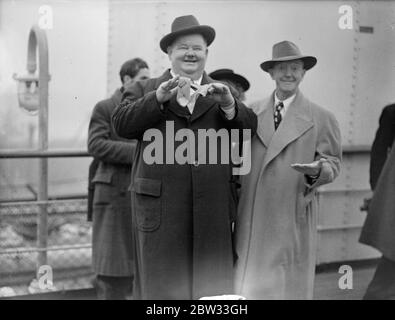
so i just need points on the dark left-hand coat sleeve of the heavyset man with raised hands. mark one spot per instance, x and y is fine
(138, 111)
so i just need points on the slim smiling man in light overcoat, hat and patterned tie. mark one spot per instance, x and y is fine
(296, 149)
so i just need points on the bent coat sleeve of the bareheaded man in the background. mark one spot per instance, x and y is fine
(100, 143)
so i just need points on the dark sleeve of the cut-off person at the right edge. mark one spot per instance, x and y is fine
(382, 143)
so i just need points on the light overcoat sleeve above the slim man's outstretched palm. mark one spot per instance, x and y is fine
(329, 148)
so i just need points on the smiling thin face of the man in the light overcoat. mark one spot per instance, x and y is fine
(288, 75)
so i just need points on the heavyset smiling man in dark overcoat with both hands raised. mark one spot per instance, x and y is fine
(182, 212)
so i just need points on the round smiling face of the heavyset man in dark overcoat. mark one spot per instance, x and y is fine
(188, 55)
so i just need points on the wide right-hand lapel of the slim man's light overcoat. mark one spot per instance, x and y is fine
(297, 121)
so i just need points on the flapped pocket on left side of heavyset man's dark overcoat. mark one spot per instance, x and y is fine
(147, 203)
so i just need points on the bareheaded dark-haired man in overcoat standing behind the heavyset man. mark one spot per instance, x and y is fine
(112, 259)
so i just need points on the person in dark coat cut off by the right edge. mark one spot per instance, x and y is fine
(379, 227)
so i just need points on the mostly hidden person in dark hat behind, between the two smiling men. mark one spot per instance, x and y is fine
(236, 82)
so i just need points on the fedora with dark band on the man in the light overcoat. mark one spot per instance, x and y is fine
(287, 51)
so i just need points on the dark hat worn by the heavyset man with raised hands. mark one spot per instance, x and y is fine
(186, 25)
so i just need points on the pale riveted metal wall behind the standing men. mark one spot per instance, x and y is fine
(354, 77)
